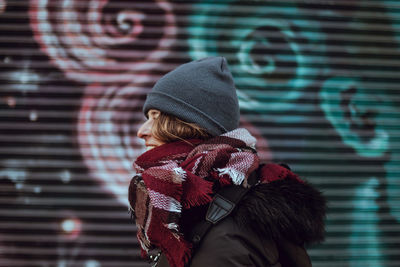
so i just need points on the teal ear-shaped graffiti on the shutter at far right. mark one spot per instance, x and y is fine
(355, 112)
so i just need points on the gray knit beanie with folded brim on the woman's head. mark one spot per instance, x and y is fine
(200, 92)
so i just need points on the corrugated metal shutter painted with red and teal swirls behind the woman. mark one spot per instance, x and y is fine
(318, 83)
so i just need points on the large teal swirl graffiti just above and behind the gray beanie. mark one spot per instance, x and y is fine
(274, 56)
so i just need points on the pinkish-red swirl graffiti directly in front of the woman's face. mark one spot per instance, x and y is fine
(108, 121)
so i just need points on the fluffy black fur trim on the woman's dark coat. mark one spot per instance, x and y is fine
(285, 209)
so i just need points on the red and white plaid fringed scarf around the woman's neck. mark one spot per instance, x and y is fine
(181, 175)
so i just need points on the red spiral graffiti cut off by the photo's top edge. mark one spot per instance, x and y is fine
(101, 40)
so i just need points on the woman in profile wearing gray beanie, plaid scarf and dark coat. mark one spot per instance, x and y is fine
(200, 196)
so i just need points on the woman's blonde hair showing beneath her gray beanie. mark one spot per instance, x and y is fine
(167, 128)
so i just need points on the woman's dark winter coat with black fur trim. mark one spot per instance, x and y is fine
(270, 227)
